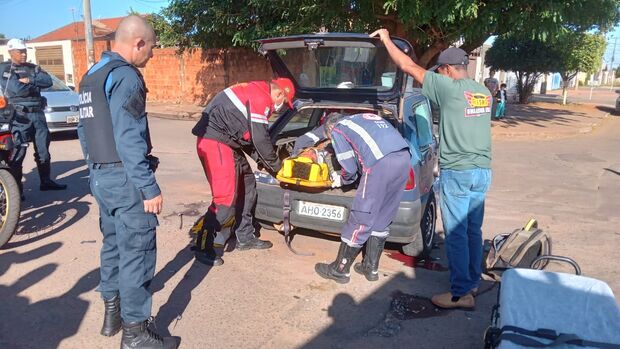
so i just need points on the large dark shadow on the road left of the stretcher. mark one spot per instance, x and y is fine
(371, 323)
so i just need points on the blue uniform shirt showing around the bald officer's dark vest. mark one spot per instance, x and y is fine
(131, 134)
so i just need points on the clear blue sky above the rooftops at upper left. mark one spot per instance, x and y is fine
(32, 18)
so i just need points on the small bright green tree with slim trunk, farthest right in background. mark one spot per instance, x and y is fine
(579, 52)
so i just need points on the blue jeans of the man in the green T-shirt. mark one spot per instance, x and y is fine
(462, 212)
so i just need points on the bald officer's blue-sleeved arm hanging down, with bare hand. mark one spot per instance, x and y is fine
(127, 107)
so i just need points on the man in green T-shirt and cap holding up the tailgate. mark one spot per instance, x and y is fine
(464, 160)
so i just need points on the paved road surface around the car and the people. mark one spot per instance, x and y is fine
(272, 299)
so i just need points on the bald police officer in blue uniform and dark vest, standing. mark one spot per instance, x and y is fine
(114, 135)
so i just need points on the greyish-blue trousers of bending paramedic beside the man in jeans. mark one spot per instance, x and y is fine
(377, 199)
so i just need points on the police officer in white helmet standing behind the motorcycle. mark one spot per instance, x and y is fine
(22, 83)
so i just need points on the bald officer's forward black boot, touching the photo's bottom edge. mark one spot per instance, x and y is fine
(137, 335)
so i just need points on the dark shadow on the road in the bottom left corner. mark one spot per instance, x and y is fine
(46, 323)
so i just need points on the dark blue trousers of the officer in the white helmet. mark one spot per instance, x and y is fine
(31, 127)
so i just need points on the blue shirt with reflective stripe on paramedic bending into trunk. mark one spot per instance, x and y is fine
(361, 140)
